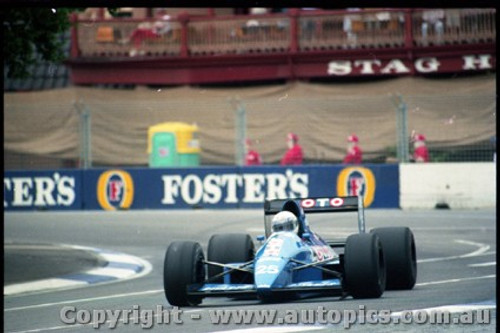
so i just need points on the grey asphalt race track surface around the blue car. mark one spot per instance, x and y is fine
(456, 253)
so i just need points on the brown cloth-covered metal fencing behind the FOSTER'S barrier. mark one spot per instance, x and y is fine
(458, 128)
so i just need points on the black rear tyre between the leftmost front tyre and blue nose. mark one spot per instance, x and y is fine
(229, 248)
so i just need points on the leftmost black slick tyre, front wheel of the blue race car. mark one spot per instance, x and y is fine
(183, 266)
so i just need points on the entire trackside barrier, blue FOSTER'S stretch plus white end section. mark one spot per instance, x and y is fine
(406, 186)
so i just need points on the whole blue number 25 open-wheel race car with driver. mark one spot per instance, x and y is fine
(293, 261)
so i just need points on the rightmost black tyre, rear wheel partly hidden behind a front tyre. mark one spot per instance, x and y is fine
(400, 256)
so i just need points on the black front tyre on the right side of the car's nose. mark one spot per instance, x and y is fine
(364, 266)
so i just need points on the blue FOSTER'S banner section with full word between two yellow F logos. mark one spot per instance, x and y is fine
(236, 187)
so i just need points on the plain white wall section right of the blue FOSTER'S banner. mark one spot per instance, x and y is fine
(453, 185)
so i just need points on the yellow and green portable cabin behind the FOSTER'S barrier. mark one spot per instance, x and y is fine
(173, 144)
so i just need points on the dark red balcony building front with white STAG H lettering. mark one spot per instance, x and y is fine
(203, 46)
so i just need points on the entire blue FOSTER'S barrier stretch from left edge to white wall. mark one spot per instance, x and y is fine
(196, 187)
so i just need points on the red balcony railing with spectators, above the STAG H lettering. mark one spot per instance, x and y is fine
(295, 31)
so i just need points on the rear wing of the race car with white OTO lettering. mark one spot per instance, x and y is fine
(321, 205)
